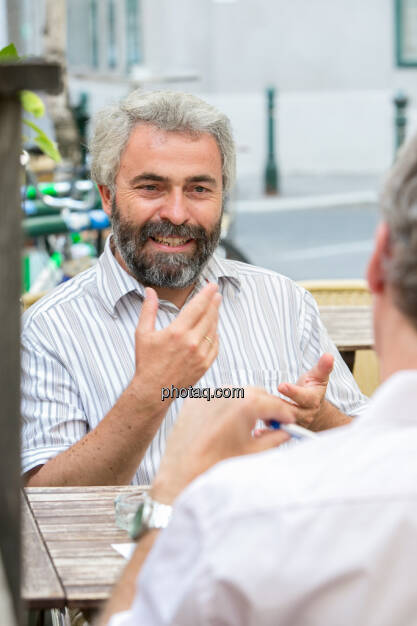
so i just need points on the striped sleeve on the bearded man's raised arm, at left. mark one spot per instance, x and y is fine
(52, 415)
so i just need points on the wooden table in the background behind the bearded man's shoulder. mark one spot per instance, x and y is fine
(350, 327)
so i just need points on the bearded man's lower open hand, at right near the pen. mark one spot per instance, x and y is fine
(309, 391)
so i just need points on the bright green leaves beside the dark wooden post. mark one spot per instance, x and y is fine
(33, 105)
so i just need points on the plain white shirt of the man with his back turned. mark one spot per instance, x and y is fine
(323, 534)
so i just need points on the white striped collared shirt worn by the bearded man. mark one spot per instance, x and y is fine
(78, 352)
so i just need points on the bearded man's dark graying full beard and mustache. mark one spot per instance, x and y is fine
(162, 269)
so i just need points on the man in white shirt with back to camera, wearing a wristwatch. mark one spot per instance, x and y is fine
(321, 534)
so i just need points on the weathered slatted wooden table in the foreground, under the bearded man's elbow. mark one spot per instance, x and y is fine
(67, 555)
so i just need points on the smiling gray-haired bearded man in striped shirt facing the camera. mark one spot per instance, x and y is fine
(164, 163)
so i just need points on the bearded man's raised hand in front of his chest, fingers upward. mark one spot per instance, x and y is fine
(181, 353)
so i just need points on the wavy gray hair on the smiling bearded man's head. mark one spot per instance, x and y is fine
(167, 110)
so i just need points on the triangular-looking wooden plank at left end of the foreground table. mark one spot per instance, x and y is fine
(41, 587)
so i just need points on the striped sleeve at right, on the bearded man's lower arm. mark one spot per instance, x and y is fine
(342, 390)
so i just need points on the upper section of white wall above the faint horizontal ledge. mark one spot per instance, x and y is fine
(294, 44)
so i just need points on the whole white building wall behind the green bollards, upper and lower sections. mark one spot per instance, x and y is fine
(332, 60)
